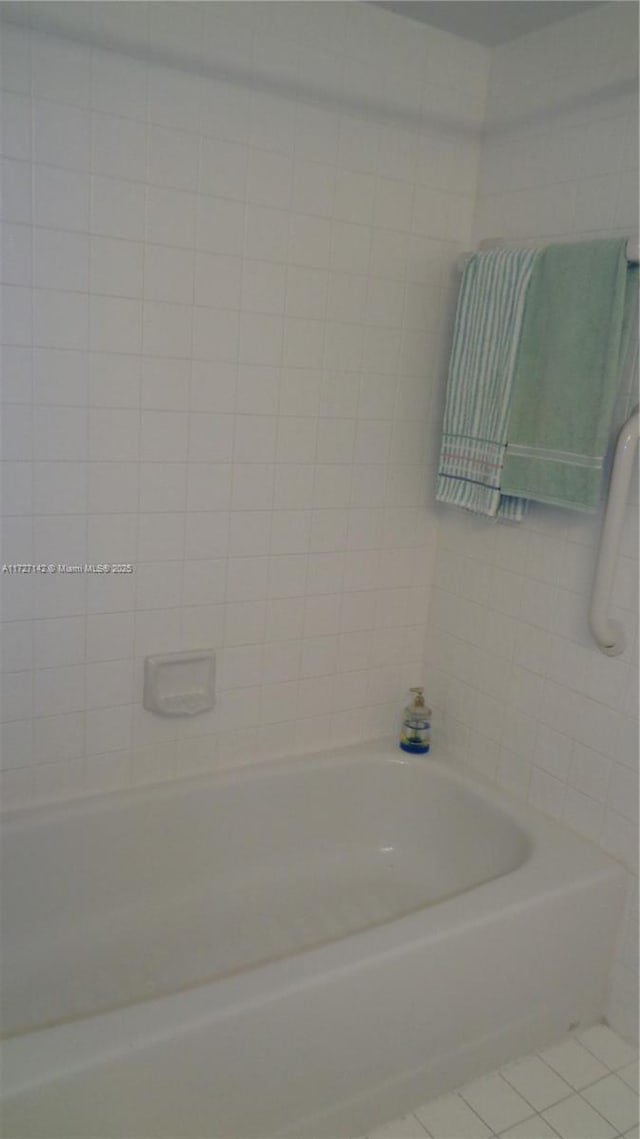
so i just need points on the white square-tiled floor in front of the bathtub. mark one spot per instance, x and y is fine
(584, 1088)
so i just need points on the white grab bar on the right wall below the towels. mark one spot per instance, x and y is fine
(610, 634)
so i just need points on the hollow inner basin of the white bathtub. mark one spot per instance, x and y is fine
(128, 897)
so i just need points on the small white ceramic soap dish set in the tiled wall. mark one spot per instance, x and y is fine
(180, 684)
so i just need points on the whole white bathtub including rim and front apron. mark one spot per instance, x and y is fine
(306, 948)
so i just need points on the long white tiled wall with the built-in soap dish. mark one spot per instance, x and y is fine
(227, 264)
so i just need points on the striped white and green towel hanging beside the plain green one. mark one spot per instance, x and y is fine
(486, 341)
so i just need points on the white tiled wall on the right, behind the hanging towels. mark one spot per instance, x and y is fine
(521, 690)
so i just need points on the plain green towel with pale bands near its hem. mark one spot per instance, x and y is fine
(578, 312)
